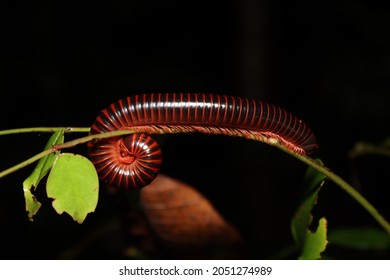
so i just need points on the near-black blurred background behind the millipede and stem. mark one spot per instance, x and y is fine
(326, 61)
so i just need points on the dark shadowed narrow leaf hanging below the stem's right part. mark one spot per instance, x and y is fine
(303, 218)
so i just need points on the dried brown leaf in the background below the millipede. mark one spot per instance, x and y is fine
(187, 223)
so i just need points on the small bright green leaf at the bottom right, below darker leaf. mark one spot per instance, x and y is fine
(315, 242)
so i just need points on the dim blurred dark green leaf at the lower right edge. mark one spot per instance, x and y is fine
(364, 238)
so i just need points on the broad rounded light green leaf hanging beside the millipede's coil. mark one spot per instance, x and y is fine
(73, 184)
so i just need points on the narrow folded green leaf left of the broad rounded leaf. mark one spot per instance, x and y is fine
(41, 169)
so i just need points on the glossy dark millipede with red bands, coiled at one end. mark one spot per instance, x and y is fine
(133, 161)
